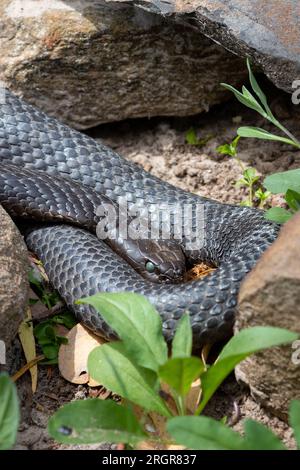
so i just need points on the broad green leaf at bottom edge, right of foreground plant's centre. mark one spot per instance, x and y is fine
(203, 433)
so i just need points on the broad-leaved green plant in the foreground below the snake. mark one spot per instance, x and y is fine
(138, 366)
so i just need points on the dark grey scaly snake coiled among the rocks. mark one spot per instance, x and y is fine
(58, 175)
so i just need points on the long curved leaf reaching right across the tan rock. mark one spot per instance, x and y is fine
(242, 345)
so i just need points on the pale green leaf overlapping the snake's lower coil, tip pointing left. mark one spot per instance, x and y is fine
(136, 322)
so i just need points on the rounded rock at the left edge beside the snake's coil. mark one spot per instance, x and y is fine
(13, 279)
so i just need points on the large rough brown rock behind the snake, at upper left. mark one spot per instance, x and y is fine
(89, 62)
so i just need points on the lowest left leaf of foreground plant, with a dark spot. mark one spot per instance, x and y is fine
(94, 421)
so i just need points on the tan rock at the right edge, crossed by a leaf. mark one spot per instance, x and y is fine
(270, 295)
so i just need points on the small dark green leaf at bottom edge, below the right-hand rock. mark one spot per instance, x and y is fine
(259, 437)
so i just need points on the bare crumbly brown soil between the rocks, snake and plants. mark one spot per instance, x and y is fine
(159, 146)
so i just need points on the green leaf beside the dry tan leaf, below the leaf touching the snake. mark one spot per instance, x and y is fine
(111, 366)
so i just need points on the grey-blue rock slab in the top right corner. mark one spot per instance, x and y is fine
(265, 31)
